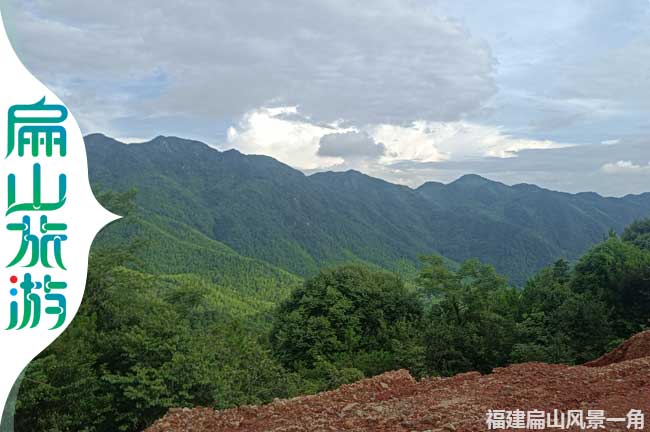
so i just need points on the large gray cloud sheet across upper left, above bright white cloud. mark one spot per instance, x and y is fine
(218, 59)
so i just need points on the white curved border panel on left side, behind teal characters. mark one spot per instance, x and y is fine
(83, 214)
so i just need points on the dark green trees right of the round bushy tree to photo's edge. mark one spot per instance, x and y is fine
(563, 314)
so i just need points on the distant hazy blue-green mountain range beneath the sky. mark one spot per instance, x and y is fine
(257, 207)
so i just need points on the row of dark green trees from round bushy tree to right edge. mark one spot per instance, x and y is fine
(469, 317)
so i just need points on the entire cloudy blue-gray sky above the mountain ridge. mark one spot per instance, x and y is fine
(552, 92)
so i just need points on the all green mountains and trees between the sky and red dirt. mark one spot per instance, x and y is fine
(180, 310)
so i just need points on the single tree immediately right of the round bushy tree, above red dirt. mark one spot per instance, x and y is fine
(471, 320)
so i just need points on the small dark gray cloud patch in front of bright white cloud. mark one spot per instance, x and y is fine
(350, 145)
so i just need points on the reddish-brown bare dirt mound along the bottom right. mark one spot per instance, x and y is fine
(395, 402)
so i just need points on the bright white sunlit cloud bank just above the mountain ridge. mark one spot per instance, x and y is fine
(284, 134)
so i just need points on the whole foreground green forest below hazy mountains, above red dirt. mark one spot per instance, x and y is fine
(146, 341)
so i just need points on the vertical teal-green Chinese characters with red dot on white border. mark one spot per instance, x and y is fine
(36, 132)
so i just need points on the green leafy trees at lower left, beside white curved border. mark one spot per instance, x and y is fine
(131, 354)
